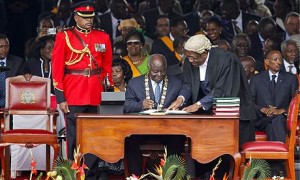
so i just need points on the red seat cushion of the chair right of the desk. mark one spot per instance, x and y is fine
(265, 146)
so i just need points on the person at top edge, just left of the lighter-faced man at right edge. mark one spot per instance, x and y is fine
(281, 9)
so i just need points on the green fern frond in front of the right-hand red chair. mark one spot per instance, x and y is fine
(259, 168)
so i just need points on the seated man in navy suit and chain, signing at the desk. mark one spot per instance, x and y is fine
(153, 90)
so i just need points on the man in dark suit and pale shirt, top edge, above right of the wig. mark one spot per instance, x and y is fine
(235, 20)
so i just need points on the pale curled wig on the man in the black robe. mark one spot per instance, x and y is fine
(198, 43)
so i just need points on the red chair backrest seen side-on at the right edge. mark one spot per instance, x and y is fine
(292, 120)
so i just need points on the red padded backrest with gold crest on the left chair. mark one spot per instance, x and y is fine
(27, 92)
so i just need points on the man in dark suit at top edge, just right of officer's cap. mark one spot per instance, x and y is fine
(110, 21)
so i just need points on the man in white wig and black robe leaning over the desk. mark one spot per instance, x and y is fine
(207, 74)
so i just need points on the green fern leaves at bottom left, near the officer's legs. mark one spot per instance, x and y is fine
(63, 167)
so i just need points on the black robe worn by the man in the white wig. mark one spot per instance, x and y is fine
(225, 77)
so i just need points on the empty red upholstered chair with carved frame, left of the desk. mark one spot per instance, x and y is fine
(28, 95)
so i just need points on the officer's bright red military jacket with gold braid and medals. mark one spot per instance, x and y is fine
(69, 54)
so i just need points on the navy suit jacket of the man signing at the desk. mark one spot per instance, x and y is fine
(135, 93)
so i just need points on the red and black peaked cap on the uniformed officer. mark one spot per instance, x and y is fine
(84, 9)
